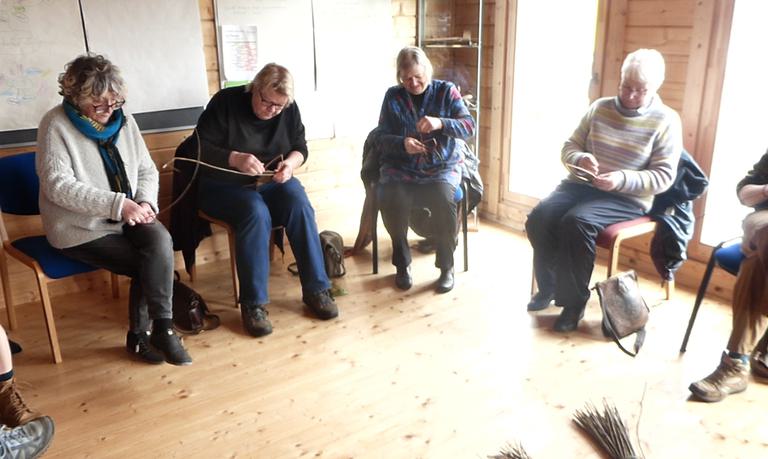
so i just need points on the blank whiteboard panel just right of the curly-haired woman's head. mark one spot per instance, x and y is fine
(158, 47)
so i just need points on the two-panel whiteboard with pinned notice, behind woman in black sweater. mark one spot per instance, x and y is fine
(339, 52)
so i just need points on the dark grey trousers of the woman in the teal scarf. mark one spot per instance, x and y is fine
(145, 254)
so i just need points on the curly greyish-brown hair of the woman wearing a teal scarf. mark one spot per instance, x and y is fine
(90, 76)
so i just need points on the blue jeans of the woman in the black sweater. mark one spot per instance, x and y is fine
(252, 212)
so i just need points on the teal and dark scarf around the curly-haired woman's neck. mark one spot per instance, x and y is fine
(105, 137)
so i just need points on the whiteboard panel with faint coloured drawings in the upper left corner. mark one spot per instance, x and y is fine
(37, 38)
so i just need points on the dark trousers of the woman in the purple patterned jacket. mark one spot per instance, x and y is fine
(396, 199)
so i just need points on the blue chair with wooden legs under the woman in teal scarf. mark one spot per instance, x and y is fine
(19, 189)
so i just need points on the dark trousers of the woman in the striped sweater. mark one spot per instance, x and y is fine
(563, 230)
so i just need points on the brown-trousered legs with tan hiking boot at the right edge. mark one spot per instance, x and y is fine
(750, 325)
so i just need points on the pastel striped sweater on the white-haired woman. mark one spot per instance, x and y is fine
(643, 144)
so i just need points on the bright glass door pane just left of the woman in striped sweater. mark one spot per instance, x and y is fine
(552, 73)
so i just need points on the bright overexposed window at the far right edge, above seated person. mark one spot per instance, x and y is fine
(742, 133)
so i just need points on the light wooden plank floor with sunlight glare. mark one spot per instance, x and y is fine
(398, 375)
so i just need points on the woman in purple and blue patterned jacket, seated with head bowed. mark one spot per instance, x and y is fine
(420, 120)
